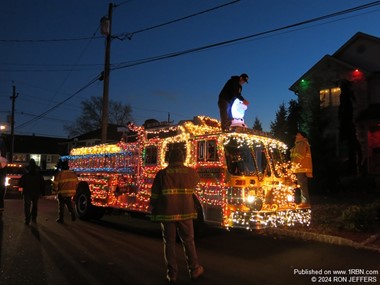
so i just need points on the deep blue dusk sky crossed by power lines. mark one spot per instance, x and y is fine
(167, 57)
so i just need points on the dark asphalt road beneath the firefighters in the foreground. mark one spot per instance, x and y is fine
(122, 250)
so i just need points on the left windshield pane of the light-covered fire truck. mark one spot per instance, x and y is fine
(239, 159)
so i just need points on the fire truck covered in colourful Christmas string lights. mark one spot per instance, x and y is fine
(245, 179)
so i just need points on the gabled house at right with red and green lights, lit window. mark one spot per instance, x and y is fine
(346, 86)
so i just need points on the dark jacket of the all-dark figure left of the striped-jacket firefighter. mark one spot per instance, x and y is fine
(33, 184)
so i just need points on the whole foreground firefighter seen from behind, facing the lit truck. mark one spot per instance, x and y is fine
(172, 204)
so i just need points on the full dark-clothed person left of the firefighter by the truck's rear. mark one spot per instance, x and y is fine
(33, 186)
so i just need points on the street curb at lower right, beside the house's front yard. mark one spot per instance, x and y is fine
(327, 238)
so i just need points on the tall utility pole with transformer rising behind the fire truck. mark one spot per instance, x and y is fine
(106, 25)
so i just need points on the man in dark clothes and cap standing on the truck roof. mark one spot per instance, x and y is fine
(231, 90)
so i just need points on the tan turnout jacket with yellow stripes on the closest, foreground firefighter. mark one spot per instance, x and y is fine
(172, 193)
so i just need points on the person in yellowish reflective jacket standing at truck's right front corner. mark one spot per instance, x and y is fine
(301, 159)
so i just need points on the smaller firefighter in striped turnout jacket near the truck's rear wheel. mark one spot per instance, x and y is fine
(65, 185)
